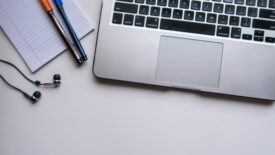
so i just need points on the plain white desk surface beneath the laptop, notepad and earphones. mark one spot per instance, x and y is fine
(86, 116)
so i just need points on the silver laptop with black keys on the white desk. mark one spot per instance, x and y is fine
(218, 46)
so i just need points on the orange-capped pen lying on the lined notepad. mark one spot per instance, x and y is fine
(49, 9)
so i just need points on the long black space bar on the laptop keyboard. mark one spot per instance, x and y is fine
(184, 26)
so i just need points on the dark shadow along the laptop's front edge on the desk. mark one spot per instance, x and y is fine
(223, 97)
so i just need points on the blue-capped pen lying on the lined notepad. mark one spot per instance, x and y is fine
(59, 5)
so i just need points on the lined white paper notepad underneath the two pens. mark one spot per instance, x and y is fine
(33, 34)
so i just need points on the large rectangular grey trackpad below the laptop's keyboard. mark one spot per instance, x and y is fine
(186, 62)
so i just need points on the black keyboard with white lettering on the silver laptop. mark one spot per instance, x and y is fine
(238, 19)
